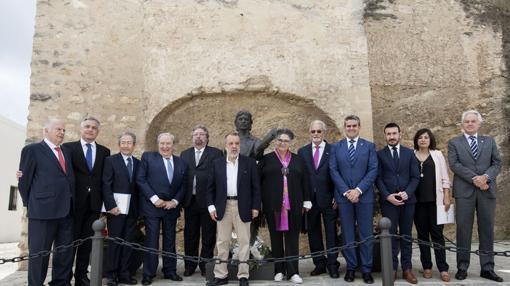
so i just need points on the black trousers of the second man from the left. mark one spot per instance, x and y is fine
(82, 228)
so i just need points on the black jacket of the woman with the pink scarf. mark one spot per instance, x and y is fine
(270, 170)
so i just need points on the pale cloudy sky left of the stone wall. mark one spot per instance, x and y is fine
(17, 19)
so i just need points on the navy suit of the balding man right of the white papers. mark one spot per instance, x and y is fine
(152, 179)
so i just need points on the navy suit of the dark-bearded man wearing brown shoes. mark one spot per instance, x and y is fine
(392, 178)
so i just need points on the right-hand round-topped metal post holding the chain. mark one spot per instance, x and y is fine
(386, 255)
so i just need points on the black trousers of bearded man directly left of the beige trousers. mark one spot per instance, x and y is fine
(198, 223)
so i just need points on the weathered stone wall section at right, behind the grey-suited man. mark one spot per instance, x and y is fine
(431, 60)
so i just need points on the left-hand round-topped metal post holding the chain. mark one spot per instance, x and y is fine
(96, 256)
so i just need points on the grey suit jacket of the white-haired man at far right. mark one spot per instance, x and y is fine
(465, 166)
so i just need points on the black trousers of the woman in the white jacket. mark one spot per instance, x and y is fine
(425, 220)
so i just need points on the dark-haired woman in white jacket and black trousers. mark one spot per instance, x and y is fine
(433, 190)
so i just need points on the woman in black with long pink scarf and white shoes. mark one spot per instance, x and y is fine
(285, 195)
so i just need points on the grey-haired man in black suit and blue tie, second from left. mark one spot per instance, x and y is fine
(88, 159)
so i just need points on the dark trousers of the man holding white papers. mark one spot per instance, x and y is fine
(118, 256)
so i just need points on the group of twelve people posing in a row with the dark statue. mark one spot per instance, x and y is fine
(64, 186)
